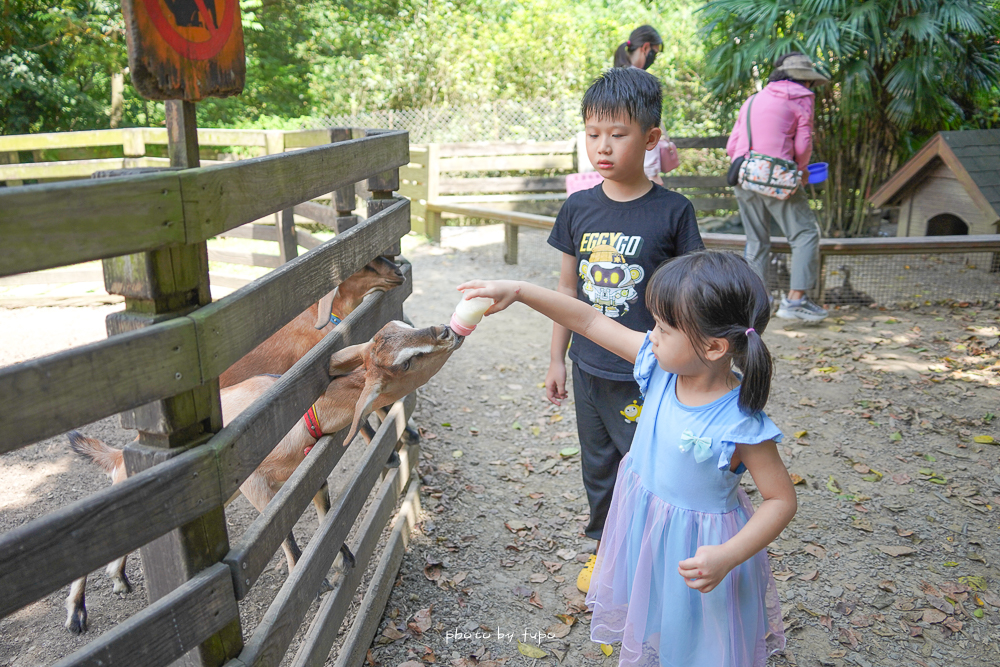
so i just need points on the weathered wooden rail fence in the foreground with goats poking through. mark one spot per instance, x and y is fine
(160, 370)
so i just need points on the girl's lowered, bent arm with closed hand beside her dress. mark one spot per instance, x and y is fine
(711, 563)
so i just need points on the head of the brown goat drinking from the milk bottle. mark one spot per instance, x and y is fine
(396, 361)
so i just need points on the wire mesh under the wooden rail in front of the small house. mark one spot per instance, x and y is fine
(901, 280)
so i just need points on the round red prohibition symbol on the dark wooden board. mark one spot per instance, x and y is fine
(195, 29)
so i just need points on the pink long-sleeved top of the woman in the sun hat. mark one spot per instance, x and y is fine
(781, 124)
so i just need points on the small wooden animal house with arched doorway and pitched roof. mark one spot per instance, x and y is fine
(950, 187)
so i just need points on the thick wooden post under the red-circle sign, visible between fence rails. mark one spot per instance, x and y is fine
(158, 286)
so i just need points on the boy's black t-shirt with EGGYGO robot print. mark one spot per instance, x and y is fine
(618, 246)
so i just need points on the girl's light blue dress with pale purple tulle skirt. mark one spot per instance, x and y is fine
(674, 493)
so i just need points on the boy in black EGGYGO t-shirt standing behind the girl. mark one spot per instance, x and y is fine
(613, 236)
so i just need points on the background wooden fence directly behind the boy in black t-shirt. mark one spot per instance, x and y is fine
(460, 180)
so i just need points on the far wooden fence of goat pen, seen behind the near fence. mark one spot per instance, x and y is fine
(74, 155)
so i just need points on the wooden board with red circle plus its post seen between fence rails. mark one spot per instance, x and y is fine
(180, 51)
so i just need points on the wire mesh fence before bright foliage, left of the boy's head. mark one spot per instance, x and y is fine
(503, 120)
